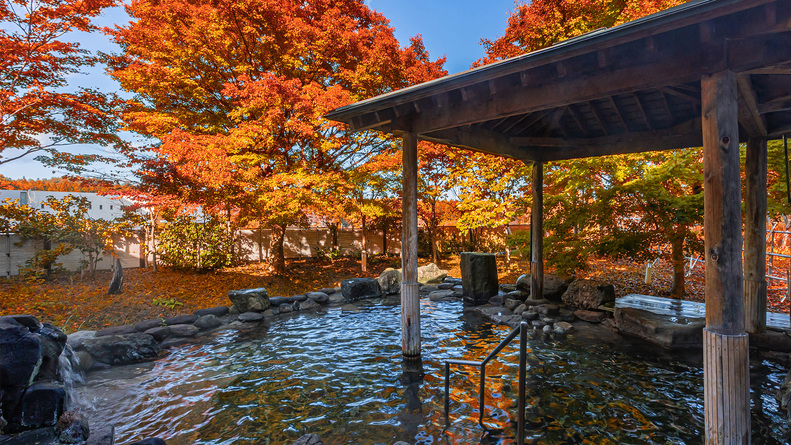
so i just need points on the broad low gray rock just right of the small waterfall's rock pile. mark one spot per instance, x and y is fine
(122, 349)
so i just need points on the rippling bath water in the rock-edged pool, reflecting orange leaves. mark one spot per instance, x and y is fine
(336, 374)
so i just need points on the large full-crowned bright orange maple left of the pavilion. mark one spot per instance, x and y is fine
(233, 94)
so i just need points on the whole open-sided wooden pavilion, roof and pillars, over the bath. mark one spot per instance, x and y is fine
(714, 73)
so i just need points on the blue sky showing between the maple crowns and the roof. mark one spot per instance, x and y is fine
(451, 28)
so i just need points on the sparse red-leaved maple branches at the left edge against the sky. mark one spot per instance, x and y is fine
(39, 115)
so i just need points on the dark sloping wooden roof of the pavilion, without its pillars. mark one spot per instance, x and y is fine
(630, 88)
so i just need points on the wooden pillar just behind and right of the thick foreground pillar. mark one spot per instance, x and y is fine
(755, 237)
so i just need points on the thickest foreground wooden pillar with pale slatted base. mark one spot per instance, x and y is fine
(725, 344)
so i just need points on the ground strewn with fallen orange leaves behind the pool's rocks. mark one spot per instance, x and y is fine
(74, 304)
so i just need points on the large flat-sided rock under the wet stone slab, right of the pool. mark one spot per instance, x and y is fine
(665, 331)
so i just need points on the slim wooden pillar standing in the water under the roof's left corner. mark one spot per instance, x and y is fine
(410, 289)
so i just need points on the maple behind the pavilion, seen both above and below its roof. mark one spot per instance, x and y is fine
(616, 206)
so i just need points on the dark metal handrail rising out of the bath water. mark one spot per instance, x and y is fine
(521, 330)
